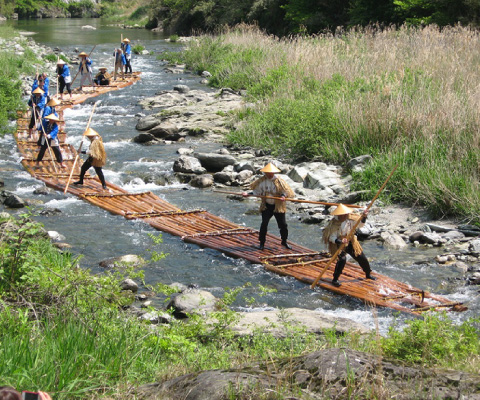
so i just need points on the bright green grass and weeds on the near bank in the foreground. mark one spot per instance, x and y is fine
(64, 330)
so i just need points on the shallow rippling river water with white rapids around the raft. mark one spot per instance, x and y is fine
(96, 234)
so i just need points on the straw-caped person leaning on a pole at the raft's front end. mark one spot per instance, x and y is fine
(335, 234)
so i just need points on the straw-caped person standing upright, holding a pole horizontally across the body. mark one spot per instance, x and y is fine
(271, 185)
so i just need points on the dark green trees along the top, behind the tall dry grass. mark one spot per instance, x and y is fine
(284, 17)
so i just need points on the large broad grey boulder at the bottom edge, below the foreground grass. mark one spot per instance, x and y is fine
(329, 373)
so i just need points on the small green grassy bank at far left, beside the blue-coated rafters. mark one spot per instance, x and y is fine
(11, 66)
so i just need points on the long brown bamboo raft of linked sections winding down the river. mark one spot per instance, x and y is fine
(207, 230)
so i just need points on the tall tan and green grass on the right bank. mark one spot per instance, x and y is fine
(406, 97)
